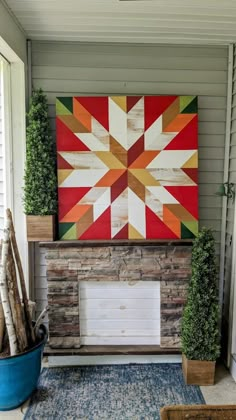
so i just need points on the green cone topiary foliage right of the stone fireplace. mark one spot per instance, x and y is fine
(200, 329)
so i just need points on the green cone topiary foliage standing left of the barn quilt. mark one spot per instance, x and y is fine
(40, 191)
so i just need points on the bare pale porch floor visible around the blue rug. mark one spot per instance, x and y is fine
(223, 392)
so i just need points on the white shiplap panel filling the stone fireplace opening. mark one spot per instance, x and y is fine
(120, 313)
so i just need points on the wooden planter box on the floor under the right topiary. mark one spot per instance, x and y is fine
(197, 372)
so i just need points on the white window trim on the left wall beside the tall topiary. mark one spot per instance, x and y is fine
(15, 155)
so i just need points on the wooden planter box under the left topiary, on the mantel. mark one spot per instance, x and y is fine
(40, 228)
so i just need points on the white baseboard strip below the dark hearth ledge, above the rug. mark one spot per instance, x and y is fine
(59, 361)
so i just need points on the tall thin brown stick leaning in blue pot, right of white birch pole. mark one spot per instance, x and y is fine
(28, 318)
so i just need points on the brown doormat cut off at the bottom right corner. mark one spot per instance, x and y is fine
(198, 412)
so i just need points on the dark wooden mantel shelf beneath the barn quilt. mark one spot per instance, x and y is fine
(102, 243)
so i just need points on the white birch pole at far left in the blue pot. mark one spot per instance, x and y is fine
(4, 290)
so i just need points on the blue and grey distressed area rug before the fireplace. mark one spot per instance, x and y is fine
(114, 392)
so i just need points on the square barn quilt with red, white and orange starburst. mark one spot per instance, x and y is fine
(127, 167)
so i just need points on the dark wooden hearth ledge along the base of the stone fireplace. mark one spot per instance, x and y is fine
(112, 350)
